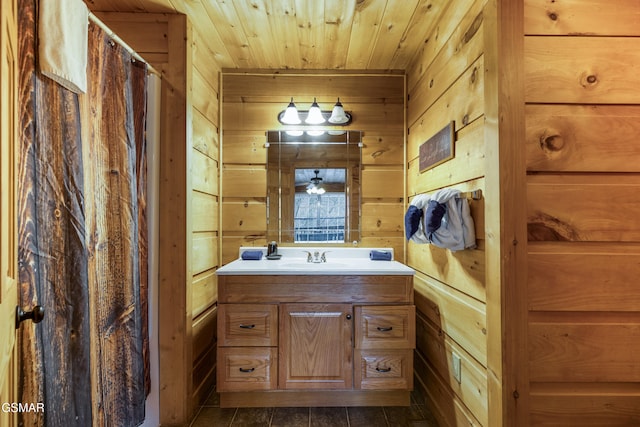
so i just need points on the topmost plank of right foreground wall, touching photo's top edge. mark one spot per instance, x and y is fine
(588, 17)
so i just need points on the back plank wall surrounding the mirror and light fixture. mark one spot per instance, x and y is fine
(251, 103)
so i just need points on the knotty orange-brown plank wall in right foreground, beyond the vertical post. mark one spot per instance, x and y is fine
(582, 124)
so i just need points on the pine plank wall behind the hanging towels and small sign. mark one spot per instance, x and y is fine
(445, 83)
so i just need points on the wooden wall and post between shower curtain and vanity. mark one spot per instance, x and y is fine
(189, 197)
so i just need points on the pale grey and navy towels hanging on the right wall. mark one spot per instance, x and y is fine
(446, 222)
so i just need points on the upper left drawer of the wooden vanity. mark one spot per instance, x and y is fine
(248, 325)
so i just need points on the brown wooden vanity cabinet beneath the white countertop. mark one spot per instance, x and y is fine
(316, 340)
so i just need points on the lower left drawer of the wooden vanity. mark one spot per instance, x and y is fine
(247, 368)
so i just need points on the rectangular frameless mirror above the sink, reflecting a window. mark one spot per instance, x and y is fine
(313, 187)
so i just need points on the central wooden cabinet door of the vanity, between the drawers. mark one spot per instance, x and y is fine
(316, 346)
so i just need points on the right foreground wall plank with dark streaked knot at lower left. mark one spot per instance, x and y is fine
(584, 208)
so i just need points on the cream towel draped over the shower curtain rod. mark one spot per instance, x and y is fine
(63, 28)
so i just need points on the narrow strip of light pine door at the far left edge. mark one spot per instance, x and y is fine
(8, 228)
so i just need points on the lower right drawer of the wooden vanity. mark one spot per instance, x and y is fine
(384, 369)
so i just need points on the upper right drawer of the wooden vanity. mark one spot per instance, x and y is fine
(385, 326)
